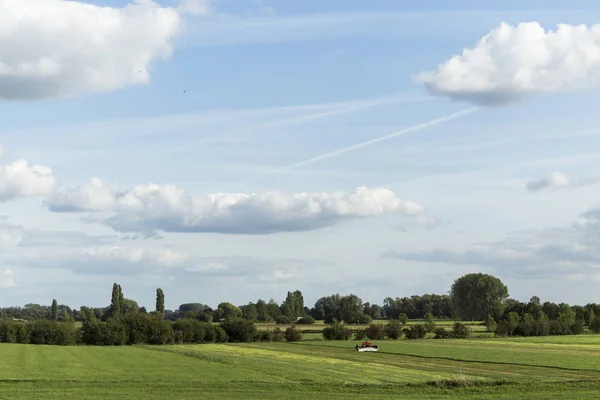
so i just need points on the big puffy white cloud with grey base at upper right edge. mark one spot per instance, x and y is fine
(511, 62)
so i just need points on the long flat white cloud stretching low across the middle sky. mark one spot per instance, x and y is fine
(152, 208)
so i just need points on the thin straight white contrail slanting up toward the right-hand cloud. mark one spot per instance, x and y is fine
(357, 146)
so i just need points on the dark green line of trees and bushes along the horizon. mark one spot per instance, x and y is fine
(473, 297)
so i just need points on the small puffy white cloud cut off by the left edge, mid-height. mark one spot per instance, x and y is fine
(19, 179)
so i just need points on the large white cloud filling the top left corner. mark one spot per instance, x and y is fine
(58, 47)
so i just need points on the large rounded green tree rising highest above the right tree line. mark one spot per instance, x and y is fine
(475, 296)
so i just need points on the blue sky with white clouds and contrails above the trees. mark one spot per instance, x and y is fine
(234, 150)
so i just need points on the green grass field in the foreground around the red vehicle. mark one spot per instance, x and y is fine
(532, 368)
